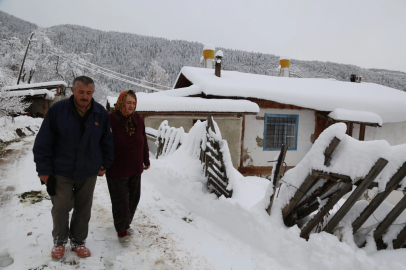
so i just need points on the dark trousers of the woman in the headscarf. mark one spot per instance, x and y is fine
(125, 194)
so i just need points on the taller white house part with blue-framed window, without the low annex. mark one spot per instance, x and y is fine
(295, 111)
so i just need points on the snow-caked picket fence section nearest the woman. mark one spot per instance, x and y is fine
(168, 139)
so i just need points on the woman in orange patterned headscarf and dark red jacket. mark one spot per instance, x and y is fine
(131, 158)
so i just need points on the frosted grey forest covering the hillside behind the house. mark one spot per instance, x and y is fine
(138, 56)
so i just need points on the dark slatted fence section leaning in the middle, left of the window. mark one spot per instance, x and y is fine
(215, 164)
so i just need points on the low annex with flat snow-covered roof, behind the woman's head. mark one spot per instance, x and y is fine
(185, 111)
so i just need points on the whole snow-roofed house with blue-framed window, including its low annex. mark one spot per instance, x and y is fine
(260, 113)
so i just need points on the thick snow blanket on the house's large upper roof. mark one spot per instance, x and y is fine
(312, 93)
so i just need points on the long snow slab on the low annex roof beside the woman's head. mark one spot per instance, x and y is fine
(162, 103)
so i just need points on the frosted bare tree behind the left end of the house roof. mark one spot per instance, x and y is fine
(155, 77)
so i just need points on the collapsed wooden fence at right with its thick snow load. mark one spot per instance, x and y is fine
(336, 165)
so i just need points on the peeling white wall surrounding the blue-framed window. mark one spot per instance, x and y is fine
(254, 155)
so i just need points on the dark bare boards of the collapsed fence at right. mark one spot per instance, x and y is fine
(306, 200)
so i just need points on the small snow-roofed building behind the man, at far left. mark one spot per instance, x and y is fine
(42, 95)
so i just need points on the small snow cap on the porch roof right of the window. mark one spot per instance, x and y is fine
(356, 116)
